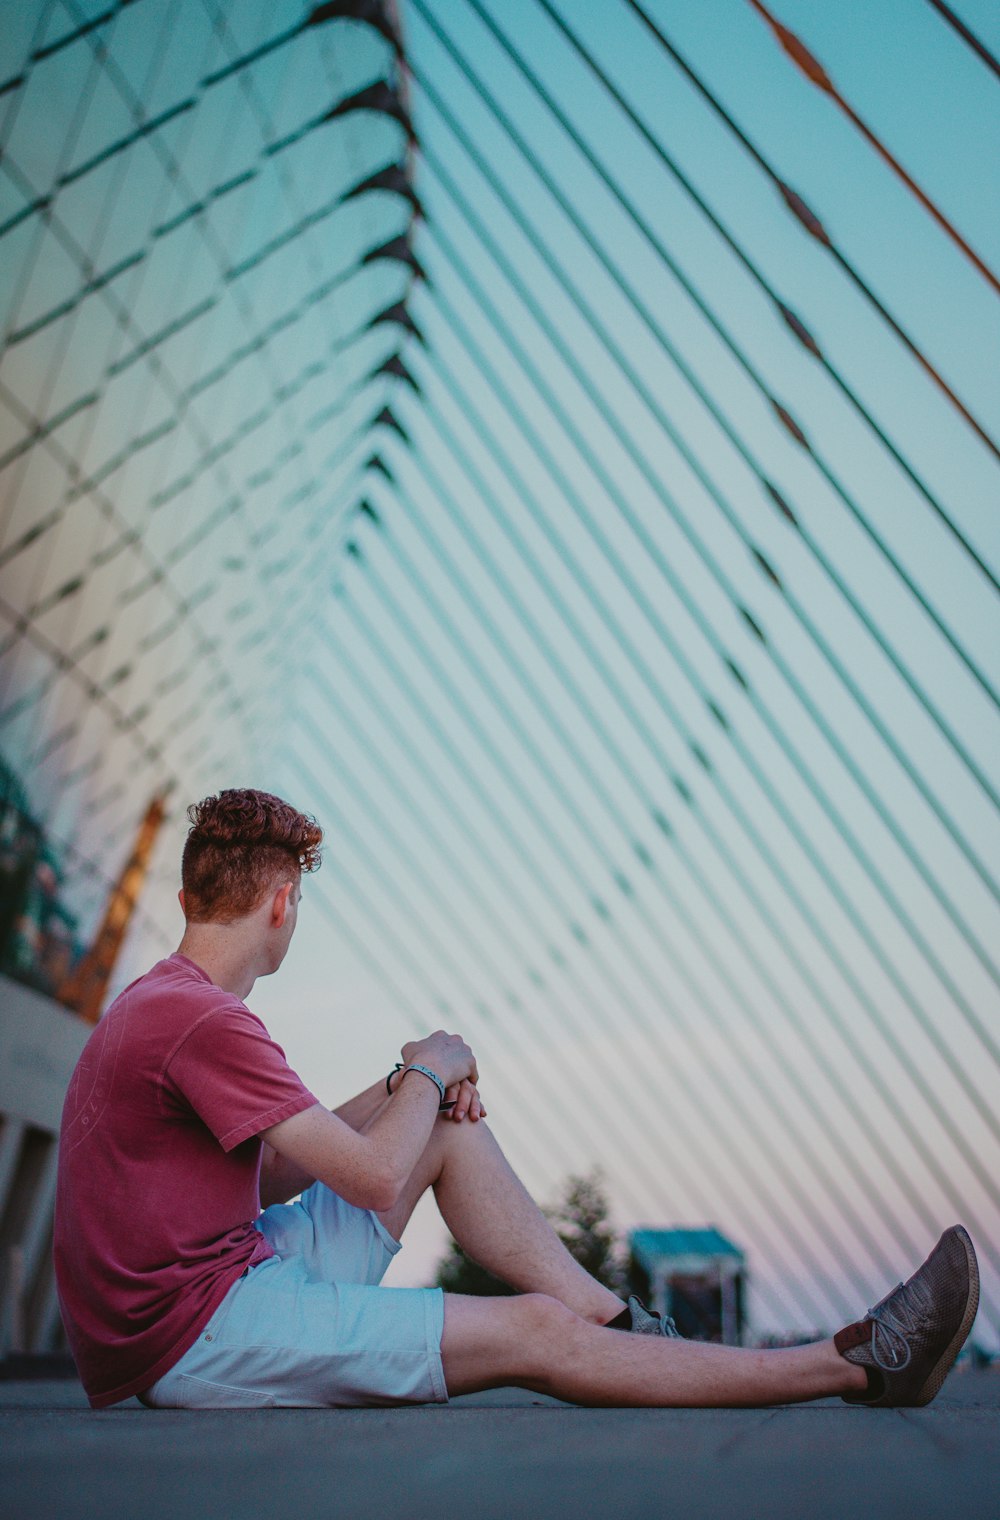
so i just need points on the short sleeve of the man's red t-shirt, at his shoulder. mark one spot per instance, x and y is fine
(235, 1077)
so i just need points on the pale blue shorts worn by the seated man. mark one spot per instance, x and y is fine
(309, 1328)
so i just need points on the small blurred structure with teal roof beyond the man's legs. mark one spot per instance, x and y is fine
(697, 1276)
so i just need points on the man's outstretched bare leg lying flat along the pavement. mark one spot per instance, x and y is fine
(537, 1343)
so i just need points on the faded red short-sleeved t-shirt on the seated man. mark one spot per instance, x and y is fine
(159, 1173)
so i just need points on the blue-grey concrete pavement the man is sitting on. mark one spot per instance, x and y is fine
(502, 1455)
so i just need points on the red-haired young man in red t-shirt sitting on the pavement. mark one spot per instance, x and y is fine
(183, 1119)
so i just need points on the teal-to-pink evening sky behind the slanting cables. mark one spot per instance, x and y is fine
(717, 911)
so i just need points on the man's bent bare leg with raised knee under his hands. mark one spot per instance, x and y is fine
(496, 1221)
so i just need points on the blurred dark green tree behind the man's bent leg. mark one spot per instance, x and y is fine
(581, 1221)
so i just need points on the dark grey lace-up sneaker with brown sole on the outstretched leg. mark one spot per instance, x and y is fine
(910, 1341)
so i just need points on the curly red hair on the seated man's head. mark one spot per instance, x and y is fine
(241, 846)
